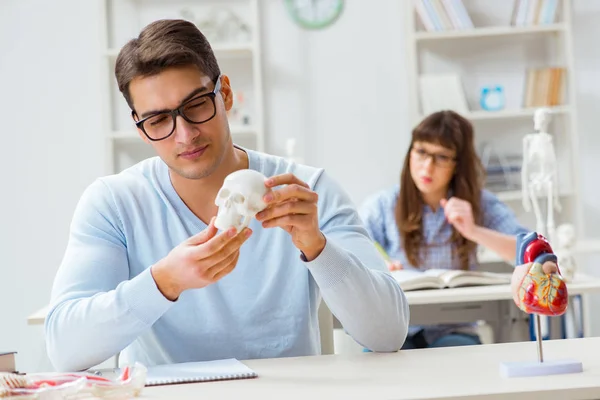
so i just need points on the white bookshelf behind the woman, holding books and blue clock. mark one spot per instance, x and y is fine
(496, 51)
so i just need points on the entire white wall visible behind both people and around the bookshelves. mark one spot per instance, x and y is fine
(339, 91)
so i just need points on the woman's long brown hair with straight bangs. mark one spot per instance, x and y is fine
(450, 130)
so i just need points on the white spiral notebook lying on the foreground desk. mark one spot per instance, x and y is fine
(202, 371)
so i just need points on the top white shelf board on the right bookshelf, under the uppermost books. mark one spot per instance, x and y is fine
(491, 31)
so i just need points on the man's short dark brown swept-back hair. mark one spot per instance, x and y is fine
(163, 44)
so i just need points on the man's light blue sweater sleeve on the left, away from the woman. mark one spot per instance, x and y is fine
(96, 310)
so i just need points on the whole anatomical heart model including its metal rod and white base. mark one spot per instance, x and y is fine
(540, 294)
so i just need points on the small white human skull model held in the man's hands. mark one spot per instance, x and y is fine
(240, 199)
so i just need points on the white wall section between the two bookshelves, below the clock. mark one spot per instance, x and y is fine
(339, 91)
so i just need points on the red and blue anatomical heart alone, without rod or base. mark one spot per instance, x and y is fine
(542, 291)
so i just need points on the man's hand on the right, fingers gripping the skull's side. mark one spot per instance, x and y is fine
(294, 208)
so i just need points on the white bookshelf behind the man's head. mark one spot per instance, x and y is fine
(240, 60)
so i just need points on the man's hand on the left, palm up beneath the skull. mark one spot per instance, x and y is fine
(199, 261)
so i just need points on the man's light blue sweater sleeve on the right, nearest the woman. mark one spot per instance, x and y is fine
(352, 276)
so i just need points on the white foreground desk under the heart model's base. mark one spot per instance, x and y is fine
(441, 373)
